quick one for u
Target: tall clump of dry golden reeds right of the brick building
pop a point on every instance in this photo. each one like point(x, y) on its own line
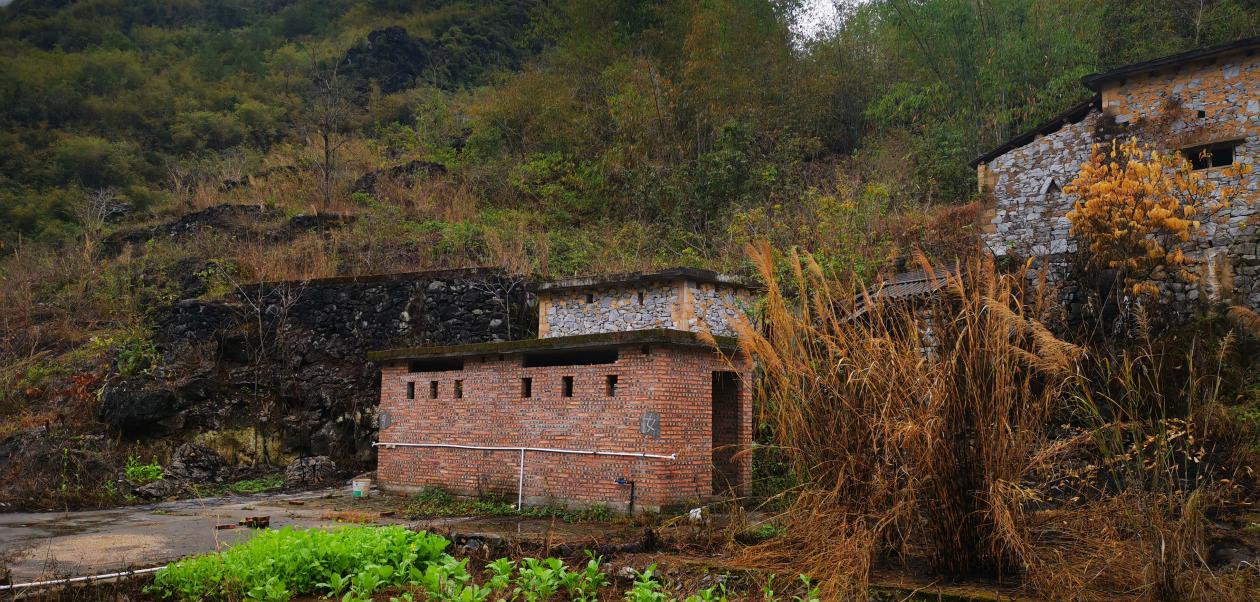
point(918, 420)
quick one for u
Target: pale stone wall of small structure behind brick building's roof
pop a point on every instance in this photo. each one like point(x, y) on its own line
point(677, 304)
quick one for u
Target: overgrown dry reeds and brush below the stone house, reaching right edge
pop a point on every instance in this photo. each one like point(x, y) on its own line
point(962, 431)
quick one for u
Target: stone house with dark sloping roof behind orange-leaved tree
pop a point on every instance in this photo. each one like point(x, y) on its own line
point(1200, 100)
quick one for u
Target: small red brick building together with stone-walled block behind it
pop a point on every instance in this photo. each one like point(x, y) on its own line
point(626, 400)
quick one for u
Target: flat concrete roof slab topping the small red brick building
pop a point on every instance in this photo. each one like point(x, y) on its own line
point(599, 341)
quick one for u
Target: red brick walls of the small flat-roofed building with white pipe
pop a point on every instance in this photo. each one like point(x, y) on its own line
point(675, 382)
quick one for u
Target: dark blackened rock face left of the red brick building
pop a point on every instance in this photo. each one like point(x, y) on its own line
point(289, 358)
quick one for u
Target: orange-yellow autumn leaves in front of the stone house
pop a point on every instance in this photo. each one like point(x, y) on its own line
point(1136, 210)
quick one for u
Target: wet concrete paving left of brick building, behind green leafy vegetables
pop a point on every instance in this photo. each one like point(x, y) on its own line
point(41, 546)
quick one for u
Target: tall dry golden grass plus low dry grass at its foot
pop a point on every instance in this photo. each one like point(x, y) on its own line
point(924, 431)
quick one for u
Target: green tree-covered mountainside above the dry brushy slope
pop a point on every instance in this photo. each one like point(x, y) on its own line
point(684, 119)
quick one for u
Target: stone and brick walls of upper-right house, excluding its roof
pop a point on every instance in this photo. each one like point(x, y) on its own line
point(1219, 103)
